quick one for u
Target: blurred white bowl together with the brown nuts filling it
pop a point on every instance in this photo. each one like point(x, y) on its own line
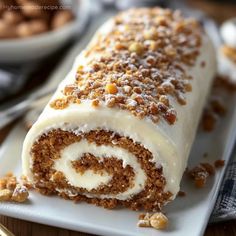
point(33, 29)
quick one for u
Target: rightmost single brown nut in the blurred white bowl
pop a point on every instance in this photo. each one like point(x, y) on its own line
point(61, 18)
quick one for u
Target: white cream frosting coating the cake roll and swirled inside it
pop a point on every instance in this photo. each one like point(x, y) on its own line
point(169, 144)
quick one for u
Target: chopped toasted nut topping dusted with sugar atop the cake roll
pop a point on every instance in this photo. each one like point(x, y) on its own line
point(140, 63)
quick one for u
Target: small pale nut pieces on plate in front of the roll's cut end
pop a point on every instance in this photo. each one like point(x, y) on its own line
point(157, 220)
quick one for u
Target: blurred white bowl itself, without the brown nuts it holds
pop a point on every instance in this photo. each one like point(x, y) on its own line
point(39, 46)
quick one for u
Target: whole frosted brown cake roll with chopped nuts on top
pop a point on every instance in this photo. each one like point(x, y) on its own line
point(119, 128)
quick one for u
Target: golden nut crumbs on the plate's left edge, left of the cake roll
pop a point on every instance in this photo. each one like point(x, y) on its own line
point(12, 190)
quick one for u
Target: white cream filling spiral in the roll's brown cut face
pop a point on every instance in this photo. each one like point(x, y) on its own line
point(91, 180)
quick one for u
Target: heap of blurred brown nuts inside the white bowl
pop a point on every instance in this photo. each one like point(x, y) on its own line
point(31, 17)
